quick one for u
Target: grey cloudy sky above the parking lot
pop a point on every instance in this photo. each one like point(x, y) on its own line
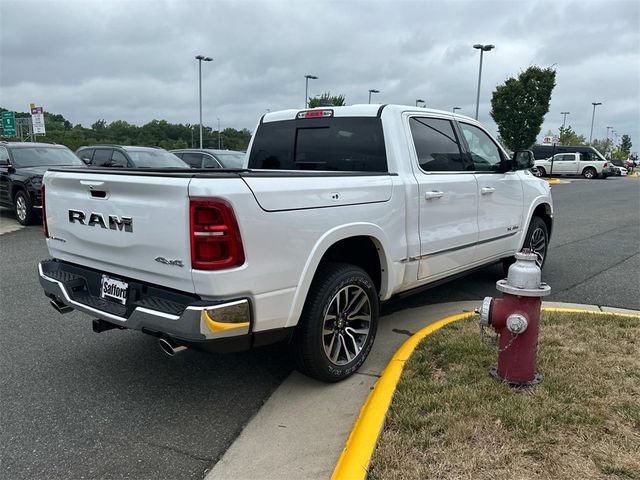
point(134, 60)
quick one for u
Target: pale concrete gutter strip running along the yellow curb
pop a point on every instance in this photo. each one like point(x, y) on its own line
point(301, 430)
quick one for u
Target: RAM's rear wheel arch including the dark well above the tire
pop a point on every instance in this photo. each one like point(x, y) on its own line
point(363, 245)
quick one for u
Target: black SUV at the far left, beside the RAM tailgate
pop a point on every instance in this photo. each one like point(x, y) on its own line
point(22, 166)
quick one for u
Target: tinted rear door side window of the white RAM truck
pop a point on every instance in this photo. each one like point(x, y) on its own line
point(436, 145)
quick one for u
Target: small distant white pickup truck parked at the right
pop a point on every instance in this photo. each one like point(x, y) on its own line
point(578, 163)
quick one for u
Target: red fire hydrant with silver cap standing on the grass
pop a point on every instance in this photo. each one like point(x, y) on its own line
point(516, 319)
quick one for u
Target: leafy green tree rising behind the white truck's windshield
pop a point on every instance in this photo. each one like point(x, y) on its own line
point(519, 105)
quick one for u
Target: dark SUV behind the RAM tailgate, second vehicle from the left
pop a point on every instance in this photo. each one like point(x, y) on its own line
point(128, 157)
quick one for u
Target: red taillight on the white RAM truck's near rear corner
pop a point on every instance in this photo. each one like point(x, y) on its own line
point(215, 237)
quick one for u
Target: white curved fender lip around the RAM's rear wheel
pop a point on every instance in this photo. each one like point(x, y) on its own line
point(330, 238)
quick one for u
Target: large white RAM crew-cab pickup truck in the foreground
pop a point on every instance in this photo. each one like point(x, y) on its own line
point(336, 210)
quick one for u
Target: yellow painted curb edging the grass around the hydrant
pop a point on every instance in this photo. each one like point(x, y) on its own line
point(356, 455)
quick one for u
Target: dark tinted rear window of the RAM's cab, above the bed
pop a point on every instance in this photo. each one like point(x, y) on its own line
point(334, 144)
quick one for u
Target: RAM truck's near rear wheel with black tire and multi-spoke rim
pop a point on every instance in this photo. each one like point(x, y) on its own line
point(325, 321)
